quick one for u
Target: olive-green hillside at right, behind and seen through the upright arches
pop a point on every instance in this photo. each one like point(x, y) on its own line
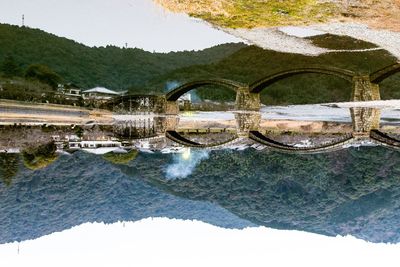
point(252, 63)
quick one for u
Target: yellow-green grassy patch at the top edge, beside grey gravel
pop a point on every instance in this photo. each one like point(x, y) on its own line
point(255, 13)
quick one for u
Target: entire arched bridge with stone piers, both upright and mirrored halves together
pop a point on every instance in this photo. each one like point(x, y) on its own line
point(365, 121)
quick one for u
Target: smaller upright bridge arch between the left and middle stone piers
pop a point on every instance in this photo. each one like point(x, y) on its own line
point(184, 88)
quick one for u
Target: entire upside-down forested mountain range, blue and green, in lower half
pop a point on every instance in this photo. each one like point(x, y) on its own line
point(353, 191)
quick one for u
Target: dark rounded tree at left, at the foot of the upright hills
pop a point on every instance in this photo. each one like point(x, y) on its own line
point(43, 74)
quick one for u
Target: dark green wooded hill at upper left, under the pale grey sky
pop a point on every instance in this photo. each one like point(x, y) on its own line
point(112, 67)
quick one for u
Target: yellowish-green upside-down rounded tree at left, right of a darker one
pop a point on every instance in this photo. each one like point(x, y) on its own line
point(39, 157)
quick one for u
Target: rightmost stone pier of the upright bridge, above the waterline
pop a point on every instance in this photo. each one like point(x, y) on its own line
point(364, 89)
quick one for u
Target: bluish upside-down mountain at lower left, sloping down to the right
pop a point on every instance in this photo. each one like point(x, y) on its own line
point(84, 188)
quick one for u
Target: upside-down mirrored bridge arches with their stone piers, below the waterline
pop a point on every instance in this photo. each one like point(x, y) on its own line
point(365, 129)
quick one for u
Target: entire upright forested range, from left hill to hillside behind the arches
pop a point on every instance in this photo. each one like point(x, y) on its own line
point(145, 72)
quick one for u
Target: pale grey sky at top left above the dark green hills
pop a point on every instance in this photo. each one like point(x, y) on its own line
point(139, 23)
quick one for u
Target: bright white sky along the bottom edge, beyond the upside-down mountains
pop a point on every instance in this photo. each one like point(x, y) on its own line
point(169, 242)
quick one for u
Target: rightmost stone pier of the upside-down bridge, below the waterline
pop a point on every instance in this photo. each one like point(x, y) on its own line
point(364, 120)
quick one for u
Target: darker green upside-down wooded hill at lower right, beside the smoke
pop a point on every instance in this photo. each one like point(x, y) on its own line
point(352, 191)
